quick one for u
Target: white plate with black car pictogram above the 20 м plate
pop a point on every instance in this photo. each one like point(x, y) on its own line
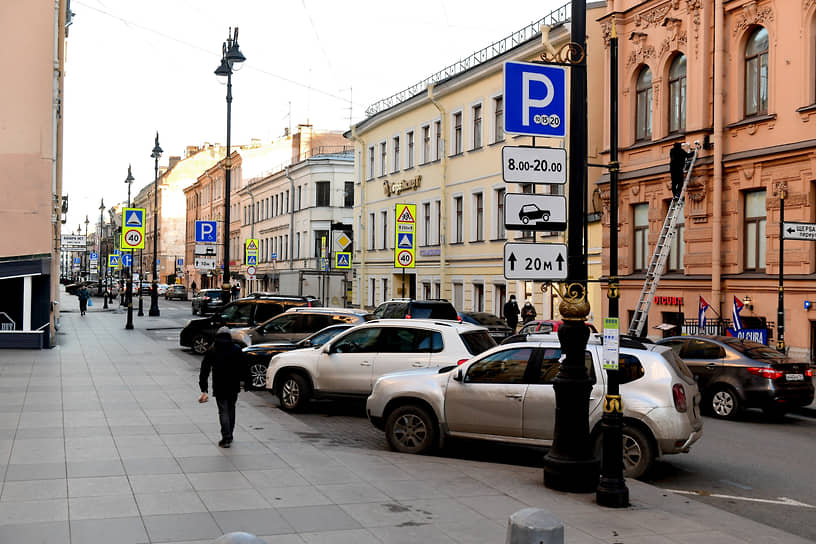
point(525, 211)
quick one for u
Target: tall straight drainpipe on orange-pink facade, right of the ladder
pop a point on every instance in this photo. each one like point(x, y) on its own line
point(716, 233)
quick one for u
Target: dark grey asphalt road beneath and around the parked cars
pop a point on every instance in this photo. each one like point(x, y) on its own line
point(754, 467)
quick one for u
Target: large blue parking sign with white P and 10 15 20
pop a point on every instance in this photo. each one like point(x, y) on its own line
point(535, 97)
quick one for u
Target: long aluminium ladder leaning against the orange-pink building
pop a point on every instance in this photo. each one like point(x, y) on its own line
point(661, 253)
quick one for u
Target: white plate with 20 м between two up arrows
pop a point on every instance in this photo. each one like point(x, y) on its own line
point(535, 262)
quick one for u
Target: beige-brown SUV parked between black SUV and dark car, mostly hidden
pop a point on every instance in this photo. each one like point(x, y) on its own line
point(297, 323)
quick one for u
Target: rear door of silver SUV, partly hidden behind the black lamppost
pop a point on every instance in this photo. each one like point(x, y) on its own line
point(539, 403)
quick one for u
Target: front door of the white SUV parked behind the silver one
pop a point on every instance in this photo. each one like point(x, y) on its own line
point(349, 363)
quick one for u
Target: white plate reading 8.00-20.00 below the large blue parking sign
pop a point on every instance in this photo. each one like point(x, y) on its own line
point(534, 165)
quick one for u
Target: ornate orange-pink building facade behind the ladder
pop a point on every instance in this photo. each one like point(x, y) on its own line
point(738, 76)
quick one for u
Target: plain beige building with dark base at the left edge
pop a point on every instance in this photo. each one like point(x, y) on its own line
point(31, 202)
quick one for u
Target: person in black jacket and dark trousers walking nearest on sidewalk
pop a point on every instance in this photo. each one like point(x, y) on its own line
point(224, 359)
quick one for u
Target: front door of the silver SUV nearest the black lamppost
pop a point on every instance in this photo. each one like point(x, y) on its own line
point(489, 399)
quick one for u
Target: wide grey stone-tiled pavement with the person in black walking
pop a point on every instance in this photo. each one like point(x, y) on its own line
point(102, 440)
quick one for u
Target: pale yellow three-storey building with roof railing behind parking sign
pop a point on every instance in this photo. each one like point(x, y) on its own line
point(438, 146)
